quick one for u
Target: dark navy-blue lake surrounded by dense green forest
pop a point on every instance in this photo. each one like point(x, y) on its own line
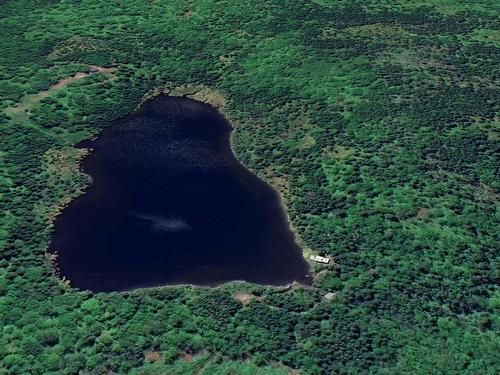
point(169, 204)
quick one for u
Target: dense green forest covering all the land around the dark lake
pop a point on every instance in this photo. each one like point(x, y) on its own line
point(377, 122)
